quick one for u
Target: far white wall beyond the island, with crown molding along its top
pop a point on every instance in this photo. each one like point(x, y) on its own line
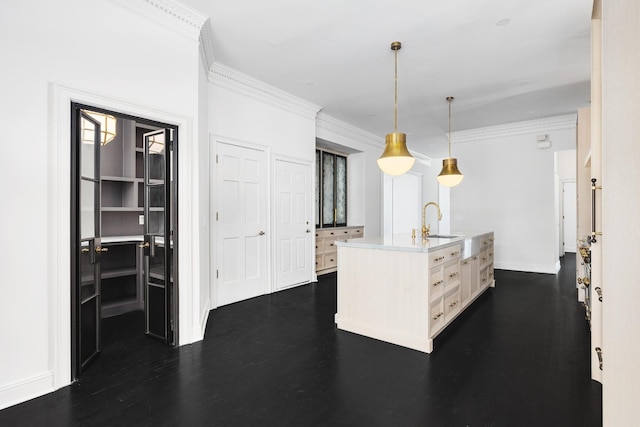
point(509, 189)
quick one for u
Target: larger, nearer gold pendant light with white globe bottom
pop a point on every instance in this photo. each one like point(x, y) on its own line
point(396, 159)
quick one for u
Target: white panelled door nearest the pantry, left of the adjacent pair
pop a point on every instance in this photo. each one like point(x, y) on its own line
point(241, 223)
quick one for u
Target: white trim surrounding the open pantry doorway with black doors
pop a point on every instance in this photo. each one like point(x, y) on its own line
point(59, 218)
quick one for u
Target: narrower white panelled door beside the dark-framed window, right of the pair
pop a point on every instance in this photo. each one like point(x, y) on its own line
point(293, 226)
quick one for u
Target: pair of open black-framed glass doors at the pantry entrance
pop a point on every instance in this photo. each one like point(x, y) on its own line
point(87, 249)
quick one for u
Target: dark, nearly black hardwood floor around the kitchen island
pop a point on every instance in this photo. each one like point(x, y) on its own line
point(518, 357)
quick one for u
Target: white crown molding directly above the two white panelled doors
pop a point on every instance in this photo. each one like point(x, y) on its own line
point(238, 82)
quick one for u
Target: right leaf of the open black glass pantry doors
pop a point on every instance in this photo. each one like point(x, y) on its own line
point(158, 244)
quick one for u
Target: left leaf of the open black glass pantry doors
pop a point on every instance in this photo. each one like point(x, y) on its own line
point(86, 295)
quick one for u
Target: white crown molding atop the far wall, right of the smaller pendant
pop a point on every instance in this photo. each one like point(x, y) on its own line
point(567, 121)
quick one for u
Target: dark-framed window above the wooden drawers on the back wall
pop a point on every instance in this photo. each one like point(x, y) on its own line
point(331, 189)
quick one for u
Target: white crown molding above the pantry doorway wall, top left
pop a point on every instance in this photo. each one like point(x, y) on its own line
point(171, 13)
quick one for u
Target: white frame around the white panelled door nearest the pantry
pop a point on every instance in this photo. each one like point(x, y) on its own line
point(215, 205)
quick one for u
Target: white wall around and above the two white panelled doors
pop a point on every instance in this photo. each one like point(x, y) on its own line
point(247, 112)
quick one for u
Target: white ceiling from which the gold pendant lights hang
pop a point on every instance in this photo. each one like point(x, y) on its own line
point(336, 53)
